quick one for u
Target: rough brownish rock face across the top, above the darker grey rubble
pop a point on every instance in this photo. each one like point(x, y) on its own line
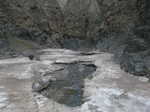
point(78, 18)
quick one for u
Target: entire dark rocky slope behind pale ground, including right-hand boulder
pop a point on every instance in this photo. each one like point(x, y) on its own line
point(118, 26)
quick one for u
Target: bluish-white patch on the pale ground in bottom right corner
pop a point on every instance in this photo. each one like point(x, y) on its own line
point(115, 100)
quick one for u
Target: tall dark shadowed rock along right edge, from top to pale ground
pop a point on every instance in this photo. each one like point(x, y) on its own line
point(137, 53)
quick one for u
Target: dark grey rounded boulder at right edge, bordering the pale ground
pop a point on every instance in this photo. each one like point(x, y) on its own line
point(136, 63)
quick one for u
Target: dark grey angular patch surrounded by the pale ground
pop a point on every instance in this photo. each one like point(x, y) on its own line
point(67, 84)
